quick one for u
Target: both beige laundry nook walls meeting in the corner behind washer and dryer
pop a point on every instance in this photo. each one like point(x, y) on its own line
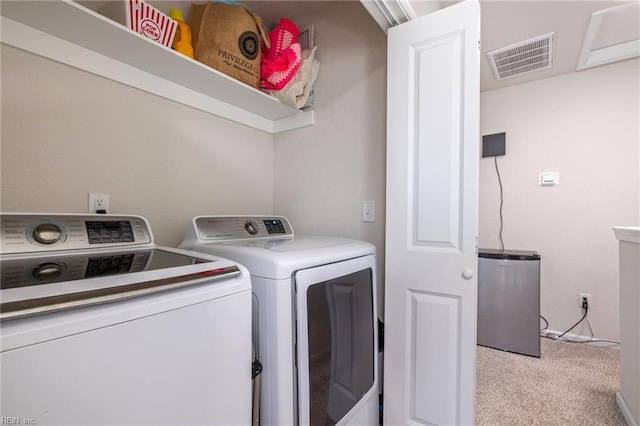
point(66, 132)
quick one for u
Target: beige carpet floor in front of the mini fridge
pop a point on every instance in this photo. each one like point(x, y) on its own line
point(570, 384)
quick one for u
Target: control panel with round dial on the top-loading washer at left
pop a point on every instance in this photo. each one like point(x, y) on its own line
point(25, 232)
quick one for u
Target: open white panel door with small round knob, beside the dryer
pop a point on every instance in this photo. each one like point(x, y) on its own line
point(432, 216)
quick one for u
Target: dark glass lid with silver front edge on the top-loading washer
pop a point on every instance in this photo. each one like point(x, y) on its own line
point(42, 283)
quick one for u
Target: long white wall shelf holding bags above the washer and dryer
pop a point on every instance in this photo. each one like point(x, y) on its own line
point(69, 33)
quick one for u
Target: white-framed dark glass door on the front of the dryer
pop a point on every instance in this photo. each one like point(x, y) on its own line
point(336, 340)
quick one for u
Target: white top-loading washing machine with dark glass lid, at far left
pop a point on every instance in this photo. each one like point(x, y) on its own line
point(101, 326)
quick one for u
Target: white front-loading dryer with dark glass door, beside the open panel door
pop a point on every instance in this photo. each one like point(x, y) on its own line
point(314, 313)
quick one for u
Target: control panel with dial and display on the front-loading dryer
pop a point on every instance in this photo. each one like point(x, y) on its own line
point(215, 228)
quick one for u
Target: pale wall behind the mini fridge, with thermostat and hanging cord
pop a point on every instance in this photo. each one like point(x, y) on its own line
point(585, 126)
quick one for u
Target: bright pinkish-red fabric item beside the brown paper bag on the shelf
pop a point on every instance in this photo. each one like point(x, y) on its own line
point(280, 62)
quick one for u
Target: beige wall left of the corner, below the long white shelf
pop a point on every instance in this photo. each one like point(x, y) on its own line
point(67, 132)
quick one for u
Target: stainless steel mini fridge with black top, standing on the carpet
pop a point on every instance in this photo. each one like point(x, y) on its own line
point(509, 300)
